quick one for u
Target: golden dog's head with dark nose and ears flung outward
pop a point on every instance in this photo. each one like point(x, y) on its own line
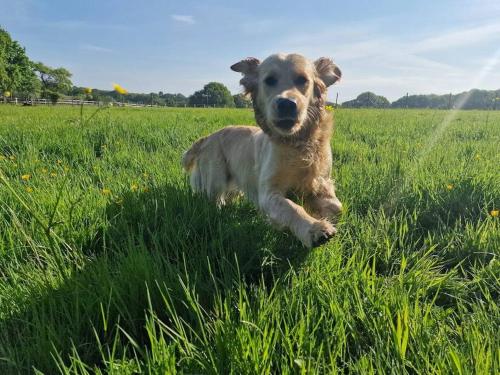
point(287, 90)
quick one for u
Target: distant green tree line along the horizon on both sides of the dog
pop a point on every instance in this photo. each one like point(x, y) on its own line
point(21, 77)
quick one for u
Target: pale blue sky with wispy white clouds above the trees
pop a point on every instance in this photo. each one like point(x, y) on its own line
point(388, 47)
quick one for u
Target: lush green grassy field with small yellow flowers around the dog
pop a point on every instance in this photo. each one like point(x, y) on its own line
point(108, 264)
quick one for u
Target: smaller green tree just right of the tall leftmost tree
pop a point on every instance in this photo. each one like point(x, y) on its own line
point(53, 81)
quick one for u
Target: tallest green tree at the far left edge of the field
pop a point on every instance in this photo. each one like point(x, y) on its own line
point(16, 70)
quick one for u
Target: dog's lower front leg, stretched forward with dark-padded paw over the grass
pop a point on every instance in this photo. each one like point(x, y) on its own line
point(282, 211)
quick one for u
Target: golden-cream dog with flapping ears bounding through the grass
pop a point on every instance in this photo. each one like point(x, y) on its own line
point(287, 156)
